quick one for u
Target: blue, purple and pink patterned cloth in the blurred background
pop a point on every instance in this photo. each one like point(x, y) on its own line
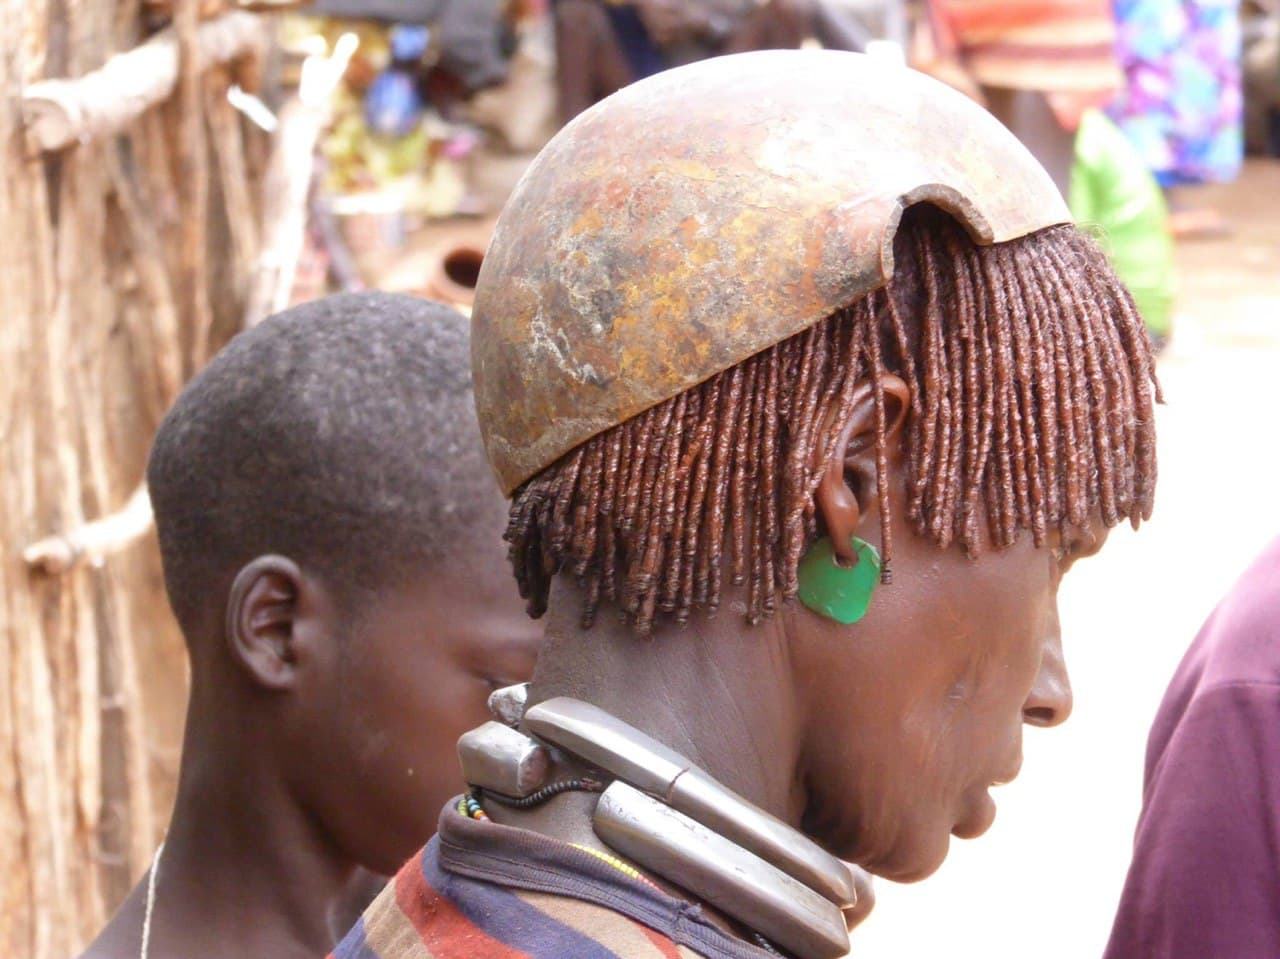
point(1182, 106)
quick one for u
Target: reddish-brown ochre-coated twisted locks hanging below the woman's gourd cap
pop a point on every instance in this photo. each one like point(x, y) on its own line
point(1032, 390)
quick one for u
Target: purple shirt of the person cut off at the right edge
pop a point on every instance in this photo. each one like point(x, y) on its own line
point(1205, 882)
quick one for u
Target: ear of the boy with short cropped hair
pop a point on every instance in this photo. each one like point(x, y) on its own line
point(262, 619)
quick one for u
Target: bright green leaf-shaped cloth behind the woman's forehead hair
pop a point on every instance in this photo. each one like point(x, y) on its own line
point(1116, 197)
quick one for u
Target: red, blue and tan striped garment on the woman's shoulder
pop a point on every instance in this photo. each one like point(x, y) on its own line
point(487, 892)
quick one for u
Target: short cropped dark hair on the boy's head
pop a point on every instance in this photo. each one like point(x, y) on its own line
point(340, 433)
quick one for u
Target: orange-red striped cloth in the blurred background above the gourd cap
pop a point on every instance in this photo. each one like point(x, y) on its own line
point(1046, 45)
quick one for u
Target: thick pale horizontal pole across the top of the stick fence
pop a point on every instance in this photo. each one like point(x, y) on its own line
point(63, 112)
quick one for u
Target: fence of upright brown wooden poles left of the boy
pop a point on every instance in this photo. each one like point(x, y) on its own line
point(125, 258)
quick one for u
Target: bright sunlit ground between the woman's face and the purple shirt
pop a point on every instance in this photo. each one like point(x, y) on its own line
point(1046, 879)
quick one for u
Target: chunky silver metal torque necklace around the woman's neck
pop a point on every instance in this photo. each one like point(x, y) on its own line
point(669, 816)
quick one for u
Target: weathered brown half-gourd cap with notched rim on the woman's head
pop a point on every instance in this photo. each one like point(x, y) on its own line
point(705, 214)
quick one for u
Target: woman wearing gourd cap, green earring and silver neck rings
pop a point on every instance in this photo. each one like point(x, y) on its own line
point(747, 340)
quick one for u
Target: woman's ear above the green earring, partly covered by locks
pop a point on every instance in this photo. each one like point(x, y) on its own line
point(848, 486)
